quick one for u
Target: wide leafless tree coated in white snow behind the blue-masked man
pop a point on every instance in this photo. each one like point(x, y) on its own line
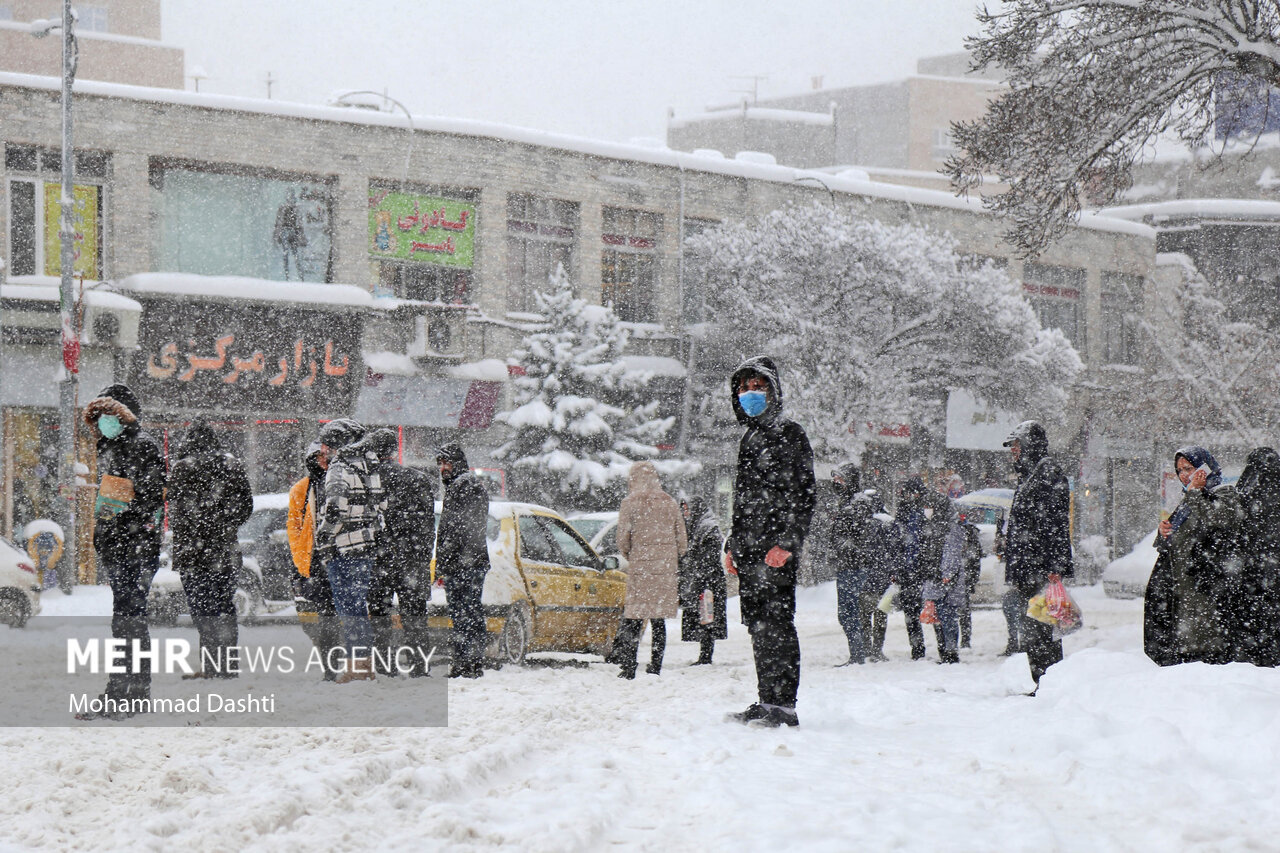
point(876, 323)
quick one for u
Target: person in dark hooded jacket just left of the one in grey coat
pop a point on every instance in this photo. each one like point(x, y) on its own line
point(924, 519)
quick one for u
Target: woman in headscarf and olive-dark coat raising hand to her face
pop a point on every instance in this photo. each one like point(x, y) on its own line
point(1183, 614)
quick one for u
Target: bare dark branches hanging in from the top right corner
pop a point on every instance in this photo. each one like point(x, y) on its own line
point(1092, 84)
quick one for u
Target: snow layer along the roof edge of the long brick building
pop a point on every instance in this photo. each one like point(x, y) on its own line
point(511, 134)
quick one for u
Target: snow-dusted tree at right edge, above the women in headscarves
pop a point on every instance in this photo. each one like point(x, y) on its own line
point(1210, 372)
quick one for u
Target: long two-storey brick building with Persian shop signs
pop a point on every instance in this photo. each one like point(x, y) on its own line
point(266, 264)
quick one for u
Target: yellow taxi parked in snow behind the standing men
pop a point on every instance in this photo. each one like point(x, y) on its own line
point(547, 590)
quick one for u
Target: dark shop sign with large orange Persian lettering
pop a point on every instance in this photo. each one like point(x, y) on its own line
point(213, 355)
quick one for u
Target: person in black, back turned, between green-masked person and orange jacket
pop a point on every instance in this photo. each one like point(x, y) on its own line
point(209, 500)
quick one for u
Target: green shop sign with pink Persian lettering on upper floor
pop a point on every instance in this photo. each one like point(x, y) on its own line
point(422, 229)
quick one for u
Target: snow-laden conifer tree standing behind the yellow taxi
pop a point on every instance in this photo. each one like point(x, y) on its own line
point(580, 418)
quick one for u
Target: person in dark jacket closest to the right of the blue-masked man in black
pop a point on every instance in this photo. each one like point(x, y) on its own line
point(854, 545)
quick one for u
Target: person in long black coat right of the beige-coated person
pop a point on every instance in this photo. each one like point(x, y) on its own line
point(703, 590)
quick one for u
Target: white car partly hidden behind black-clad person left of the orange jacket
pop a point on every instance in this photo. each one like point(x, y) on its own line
point(264, 572)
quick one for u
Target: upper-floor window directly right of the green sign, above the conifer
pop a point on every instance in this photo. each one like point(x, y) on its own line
point(541, 236)
